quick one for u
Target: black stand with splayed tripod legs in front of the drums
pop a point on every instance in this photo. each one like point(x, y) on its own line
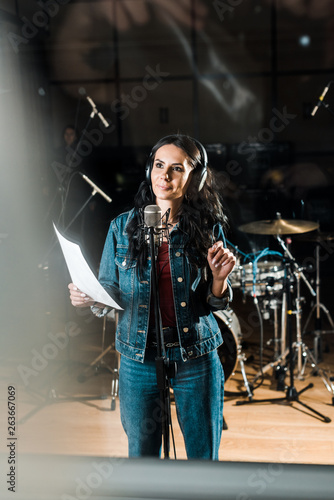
point(292, 395)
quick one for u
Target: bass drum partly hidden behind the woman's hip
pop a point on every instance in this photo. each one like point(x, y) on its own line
point(230, 328)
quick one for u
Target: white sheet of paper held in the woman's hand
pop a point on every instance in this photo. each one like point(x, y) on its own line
point(81, 274)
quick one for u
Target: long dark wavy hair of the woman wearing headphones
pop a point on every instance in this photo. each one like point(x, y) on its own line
point(199, 212)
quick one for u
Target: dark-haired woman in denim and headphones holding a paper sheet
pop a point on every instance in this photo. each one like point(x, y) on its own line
point(193, 266)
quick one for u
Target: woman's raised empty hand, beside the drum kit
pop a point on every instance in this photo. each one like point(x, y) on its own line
point(221, 261)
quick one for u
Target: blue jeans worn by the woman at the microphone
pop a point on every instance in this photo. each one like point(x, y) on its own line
point(199, 394)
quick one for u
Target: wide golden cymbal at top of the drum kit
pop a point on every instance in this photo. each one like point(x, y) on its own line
point(279, 226)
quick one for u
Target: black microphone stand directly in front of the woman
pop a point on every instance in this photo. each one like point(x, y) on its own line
point(164, 369)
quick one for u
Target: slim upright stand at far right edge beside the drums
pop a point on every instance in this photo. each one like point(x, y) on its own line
point(318, 307)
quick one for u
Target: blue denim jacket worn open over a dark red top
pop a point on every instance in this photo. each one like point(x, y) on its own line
point(198, 330)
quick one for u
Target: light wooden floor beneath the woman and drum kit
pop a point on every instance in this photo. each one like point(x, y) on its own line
point(58, 414)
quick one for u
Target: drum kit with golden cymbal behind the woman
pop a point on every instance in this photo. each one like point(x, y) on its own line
point(273, 280)
